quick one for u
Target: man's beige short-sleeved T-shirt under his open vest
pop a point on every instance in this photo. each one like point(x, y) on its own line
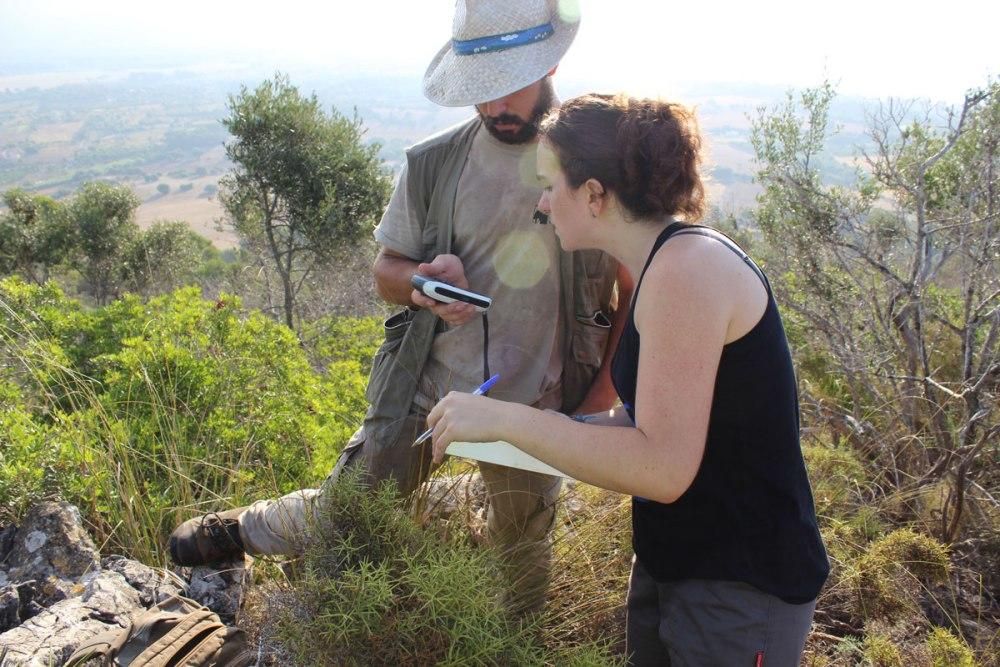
point(507, 256)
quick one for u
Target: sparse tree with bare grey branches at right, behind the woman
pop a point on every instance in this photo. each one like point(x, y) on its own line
point(895, 283)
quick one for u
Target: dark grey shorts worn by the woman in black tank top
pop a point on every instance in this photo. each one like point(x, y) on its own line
point(702, 623)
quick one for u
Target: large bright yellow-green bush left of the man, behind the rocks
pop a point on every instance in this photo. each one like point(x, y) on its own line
point(151, 411)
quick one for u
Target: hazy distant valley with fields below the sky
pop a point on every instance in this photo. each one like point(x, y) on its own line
point(160, 132)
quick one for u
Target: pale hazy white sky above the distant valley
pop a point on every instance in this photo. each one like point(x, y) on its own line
point(876, 48)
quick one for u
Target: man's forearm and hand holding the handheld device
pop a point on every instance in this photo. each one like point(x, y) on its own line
point(392, 272)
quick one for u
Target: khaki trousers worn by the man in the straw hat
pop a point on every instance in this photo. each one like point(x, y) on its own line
point(520, 515)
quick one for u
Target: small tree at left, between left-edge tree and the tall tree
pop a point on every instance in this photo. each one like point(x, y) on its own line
point(103, 218)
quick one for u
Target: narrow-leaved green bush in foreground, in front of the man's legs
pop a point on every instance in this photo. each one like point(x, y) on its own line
point(377, 590)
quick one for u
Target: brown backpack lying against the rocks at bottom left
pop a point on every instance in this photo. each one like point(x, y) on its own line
point(177, 631)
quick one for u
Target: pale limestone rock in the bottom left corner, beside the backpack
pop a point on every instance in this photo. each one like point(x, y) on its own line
point(107, 602)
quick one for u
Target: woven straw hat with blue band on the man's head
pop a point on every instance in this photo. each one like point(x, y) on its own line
point(499, 47)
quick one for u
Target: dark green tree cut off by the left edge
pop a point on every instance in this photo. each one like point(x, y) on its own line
point(34, 235)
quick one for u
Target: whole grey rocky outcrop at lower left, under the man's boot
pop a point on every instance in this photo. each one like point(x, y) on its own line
point(56, 592)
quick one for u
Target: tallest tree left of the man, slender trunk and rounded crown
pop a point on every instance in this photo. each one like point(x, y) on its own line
point(303, 187)
